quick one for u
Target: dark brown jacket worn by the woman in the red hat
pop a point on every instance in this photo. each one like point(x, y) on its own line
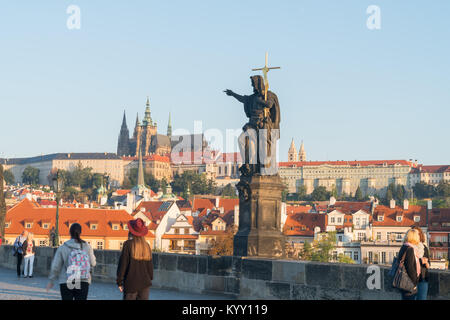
point(132, 274)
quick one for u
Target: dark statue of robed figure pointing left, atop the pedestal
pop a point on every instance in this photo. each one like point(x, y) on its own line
point(258, 140)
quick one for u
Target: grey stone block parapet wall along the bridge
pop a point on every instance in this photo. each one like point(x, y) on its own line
point(252, 278)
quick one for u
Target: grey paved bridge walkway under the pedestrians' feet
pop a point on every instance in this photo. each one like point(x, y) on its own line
point(13, 288)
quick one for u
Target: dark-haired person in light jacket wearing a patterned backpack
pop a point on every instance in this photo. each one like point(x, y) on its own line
point(72, 266)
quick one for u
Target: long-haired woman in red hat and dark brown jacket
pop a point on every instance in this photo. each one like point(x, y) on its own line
point(135, 269)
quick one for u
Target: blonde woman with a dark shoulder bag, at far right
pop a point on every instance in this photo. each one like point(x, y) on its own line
point(412, 261)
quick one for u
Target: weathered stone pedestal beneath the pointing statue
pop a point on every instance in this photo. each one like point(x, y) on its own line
point(259, 231)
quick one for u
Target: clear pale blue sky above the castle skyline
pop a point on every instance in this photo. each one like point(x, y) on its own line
point(349, 92)
